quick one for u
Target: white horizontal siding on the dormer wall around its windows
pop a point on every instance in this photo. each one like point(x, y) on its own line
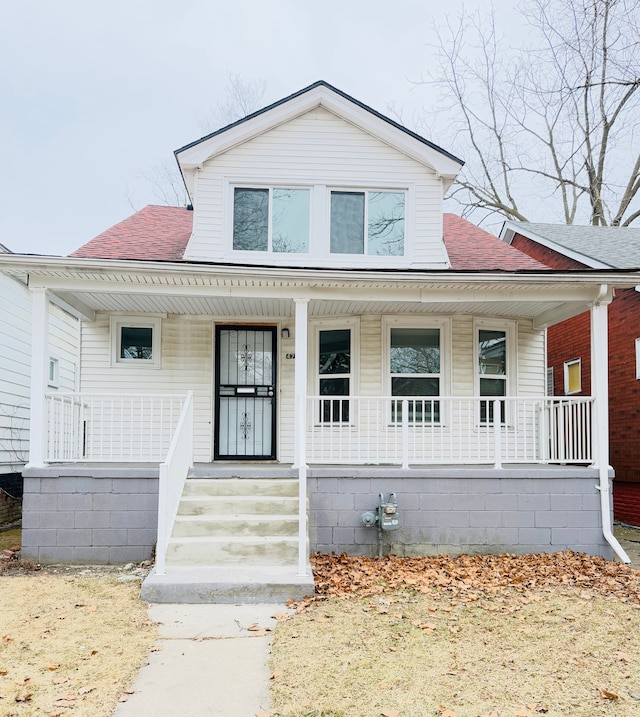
point(318, 148)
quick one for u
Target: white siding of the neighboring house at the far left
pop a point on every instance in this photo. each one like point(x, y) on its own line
point(15, 366)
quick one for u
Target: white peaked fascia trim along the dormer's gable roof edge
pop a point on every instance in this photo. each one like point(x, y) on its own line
point(193, 157)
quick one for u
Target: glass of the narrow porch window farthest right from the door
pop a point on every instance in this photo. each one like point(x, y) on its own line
point(492, 370)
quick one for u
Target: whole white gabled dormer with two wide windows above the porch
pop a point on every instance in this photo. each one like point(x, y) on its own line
point(317, 180)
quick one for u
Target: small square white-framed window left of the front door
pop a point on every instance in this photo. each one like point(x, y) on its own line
point(135, 341)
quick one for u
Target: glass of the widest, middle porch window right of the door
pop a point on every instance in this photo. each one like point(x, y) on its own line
point(414, 362)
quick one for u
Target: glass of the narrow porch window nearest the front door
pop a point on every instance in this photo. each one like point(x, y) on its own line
point(334, 374)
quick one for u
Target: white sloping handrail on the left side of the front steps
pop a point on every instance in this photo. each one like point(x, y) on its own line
point(172, 477)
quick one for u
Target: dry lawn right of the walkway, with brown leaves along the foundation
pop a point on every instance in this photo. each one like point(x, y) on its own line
point(486, 636)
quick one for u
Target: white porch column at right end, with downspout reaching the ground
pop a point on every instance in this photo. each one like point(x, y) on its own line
point(600, 393)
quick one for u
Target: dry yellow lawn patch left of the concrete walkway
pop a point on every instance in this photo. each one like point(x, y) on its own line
point(70, 643)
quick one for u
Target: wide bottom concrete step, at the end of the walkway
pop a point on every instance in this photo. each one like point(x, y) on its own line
point(251, 585)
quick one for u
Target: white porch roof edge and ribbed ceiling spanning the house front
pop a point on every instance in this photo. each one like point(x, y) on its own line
point(84, 286)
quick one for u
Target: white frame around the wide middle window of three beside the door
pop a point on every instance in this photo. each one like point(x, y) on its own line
point(422, 322)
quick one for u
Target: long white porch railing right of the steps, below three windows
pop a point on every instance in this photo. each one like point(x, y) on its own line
point(446, 430)
